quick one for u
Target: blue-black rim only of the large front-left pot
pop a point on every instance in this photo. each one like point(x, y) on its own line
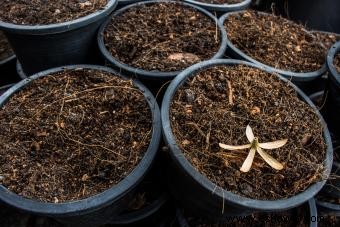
point(102, 199)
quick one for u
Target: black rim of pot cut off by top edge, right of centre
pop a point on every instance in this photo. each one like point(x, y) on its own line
point(222, 7)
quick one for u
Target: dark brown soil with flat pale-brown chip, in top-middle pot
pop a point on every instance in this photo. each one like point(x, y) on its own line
point(162, 37)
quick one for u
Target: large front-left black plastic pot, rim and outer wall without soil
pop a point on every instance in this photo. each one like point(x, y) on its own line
point(100, 208)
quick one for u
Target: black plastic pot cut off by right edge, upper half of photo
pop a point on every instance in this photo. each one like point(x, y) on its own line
point(332, 105)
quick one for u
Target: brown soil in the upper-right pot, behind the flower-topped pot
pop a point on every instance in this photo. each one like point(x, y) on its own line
point(275, 41)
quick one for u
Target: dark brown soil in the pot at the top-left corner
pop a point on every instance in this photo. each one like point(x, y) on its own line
point(44, 12)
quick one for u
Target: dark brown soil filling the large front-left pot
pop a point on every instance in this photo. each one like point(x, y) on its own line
point(71, 135)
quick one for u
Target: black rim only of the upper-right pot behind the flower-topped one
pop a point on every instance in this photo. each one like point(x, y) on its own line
point(294, 76)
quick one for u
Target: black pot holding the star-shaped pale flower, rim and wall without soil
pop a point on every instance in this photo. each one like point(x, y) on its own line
point(196, 192)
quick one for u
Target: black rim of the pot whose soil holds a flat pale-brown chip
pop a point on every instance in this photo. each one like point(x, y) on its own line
point(153, 75)
